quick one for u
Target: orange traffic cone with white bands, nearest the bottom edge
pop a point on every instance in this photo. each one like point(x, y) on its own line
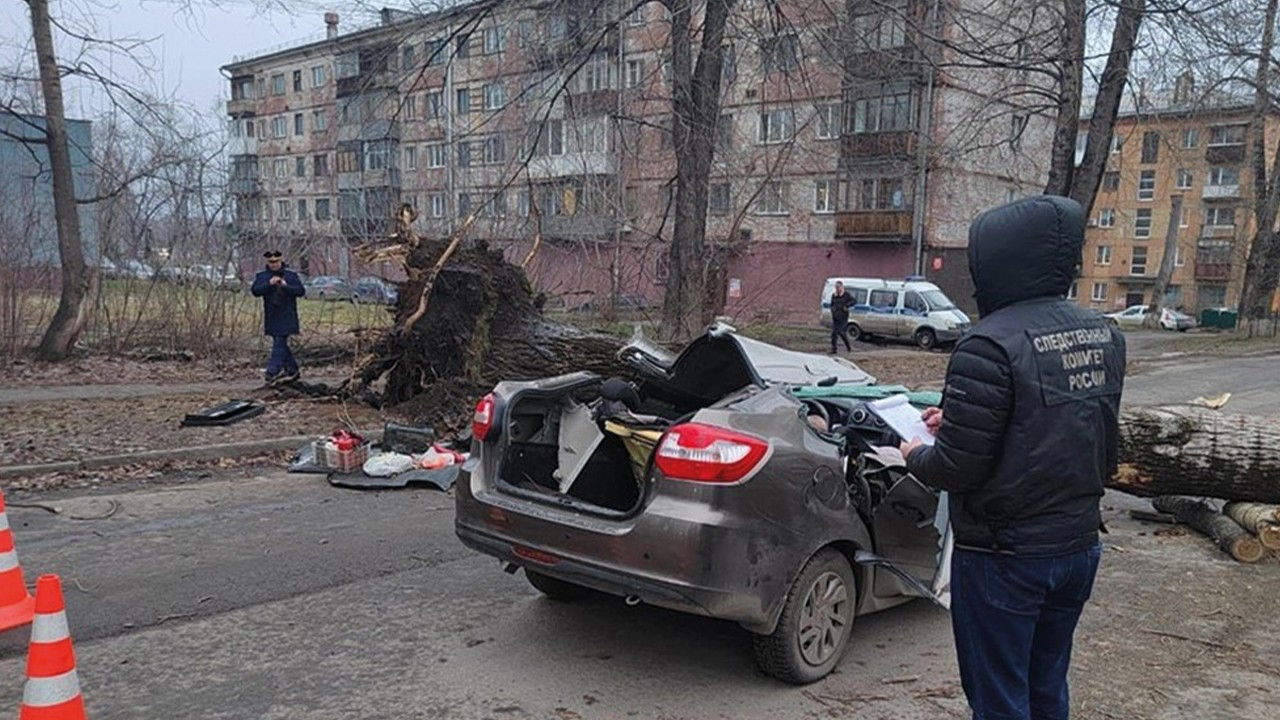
point(53, 689)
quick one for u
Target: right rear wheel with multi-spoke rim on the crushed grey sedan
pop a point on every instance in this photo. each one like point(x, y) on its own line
point(813, 630)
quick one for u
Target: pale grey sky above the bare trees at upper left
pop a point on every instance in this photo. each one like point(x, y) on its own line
point(188, 44)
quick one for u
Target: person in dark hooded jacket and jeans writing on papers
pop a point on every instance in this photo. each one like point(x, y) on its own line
point(1025, 441)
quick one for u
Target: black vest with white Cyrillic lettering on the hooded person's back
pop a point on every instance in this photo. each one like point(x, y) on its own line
point(1063, 438)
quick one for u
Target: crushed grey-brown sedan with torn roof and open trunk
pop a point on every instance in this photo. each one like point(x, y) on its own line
point(738, 481)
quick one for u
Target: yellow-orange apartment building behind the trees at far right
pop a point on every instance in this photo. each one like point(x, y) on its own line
point(1180, 145)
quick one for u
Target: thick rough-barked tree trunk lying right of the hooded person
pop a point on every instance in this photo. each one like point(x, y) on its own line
point(1200, 453)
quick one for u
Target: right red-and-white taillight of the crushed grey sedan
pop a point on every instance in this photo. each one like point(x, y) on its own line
point(707, 454)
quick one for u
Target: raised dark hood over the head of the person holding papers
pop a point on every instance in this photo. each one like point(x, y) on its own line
point(1026, 250)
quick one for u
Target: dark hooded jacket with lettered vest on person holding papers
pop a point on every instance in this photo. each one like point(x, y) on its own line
point(1031, 408)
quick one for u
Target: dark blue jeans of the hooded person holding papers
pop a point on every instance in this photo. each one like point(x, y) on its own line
point(1014, 619)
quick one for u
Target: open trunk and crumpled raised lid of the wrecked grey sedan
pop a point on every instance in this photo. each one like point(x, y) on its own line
point(588, 443)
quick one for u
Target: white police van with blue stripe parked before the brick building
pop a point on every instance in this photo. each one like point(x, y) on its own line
point(911, 309)
